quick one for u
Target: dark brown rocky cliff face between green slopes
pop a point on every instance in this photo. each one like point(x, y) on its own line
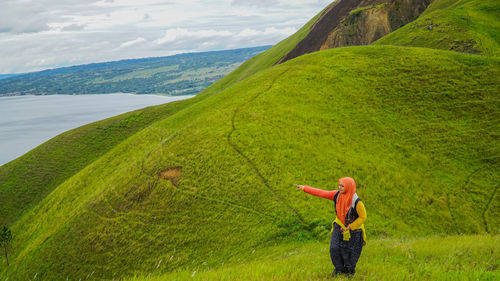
point(357, 22)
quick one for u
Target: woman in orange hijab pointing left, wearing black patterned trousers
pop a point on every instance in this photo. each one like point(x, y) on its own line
point(348, 232)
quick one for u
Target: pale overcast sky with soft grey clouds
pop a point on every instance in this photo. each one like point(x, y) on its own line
point(41, 34)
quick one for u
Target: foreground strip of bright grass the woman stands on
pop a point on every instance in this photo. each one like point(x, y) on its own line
point(436, 258)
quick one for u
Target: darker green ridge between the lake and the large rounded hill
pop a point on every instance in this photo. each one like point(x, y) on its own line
point(24, 182)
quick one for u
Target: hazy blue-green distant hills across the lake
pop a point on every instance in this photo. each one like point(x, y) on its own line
point(183, 74)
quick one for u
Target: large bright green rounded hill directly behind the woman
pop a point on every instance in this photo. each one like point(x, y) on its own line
point(415, 127)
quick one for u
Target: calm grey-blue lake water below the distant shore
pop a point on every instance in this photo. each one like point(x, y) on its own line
point(28, 121)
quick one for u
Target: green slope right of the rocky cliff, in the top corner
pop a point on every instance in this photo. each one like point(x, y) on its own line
point(470, 26)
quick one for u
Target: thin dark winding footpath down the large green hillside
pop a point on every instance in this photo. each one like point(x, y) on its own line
point(249, 161)
